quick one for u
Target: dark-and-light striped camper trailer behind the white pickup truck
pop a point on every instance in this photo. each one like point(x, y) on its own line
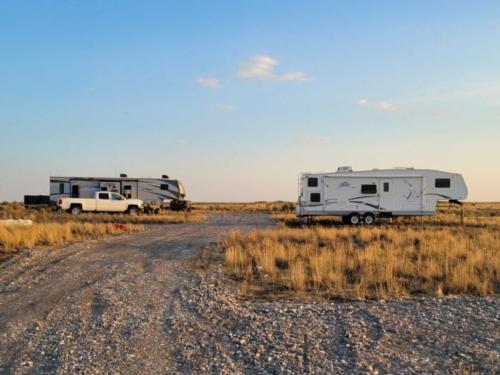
point(152, 191)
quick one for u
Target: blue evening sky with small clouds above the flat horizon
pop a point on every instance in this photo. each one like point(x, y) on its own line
point(235, 99)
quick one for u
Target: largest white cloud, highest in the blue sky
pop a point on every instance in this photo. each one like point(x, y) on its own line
point(262, 67)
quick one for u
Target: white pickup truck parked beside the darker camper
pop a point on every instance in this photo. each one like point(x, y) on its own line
point(103, 202)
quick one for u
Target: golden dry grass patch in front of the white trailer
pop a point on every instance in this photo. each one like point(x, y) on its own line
point(410, 256)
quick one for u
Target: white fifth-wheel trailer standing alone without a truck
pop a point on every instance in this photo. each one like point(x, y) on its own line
point(362, 196)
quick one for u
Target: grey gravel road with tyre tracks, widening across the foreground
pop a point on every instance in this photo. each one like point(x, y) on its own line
point(134, 304)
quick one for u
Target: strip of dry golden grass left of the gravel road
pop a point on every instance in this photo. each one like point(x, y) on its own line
point(16, 237)
